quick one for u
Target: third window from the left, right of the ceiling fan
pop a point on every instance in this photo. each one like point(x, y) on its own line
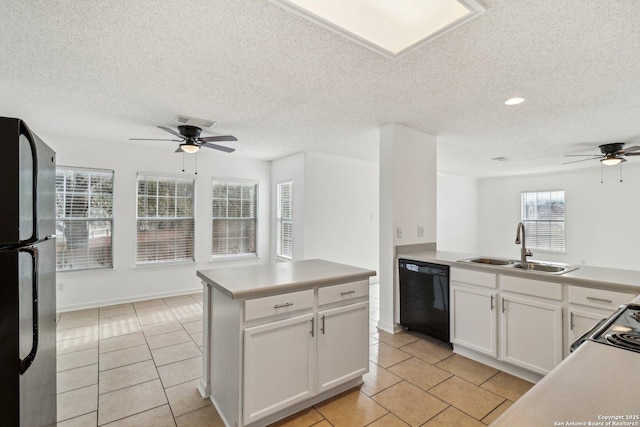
point(234, 217)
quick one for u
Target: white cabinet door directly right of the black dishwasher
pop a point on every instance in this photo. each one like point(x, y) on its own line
point(473, 319)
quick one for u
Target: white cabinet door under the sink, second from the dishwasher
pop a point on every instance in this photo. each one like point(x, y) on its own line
point(531, 334)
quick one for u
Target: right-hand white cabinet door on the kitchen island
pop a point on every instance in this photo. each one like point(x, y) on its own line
point(343, 344)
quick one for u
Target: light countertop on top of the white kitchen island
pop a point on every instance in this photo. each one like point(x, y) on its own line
point(268, 279)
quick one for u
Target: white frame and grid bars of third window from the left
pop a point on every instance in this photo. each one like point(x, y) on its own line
point(241, 255)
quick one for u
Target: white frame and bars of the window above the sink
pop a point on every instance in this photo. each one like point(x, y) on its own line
point(550, 236)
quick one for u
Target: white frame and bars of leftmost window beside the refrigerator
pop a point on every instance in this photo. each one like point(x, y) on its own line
point(92, 172)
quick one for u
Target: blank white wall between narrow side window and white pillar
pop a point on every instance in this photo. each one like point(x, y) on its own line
point(341, 210)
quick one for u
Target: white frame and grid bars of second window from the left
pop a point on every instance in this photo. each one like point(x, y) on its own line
point(175, 179)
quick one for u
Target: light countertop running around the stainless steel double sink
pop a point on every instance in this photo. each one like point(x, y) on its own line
point(597, 277)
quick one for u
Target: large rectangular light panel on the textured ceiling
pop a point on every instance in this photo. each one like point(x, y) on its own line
point(390, 27)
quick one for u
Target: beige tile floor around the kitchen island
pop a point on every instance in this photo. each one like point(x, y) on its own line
point(138, 364)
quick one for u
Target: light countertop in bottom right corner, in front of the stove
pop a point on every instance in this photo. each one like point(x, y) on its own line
point(594, 382)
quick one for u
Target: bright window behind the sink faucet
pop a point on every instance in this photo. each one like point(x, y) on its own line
point(543, 218)
